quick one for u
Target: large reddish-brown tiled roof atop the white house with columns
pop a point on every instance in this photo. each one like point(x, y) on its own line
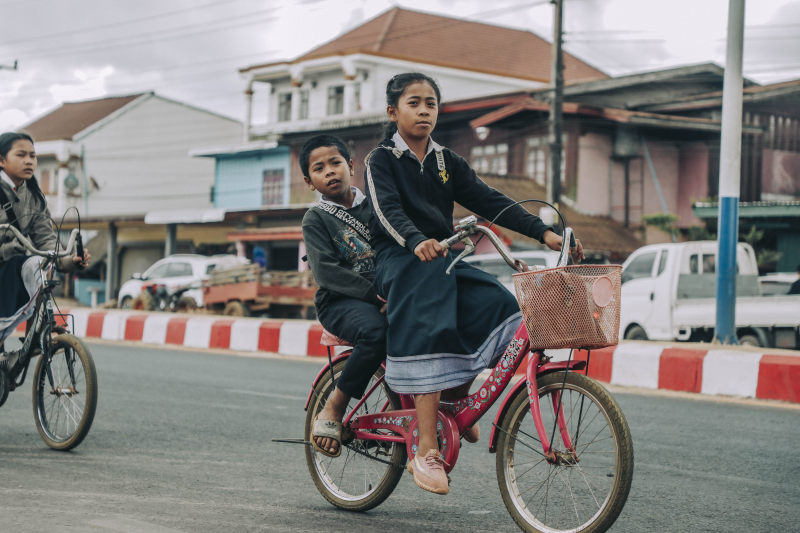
point(451, 42)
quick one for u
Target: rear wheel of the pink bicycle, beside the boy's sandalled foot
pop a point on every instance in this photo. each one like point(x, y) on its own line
point(354, 481)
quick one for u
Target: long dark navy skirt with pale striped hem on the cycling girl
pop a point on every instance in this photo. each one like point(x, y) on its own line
point(443, 329)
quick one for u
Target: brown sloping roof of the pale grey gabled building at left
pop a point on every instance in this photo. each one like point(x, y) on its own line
point(74, 117)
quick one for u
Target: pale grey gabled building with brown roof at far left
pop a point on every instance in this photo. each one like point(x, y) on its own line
point(121, 162)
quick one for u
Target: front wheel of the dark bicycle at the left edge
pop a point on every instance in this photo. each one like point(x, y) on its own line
point(65, 411)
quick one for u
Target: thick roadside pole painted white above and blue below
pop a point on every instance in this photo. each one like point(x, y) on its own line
point(729, 176)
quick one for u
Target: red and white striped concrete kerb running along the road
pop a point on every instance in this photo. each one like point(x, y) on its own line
point(695, 368)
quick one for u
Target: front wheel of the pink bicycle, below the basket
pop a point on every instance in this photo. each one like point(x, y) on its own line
point(588, 494)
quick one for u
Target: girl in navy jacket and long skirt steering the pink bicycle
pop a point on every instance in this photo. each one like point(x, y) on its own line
point(443, 329)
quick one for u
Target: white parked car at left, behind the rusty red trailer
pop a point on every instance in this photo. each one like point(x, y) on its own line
point(176, 272)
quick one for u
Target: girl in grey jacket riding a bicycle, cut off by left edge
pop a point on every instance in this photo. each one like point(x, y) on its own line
point(17, 166)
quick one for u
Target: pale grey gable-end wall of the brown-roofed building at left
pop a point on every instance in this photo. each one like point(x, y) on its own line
point(140, 159)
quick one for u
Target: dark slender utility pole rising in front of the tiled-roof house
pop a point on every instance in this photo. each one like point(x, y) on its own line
point(556, 104)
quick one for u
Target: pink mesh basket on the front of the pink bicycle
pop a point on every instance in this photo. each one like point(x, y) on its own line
point(570, 307)
